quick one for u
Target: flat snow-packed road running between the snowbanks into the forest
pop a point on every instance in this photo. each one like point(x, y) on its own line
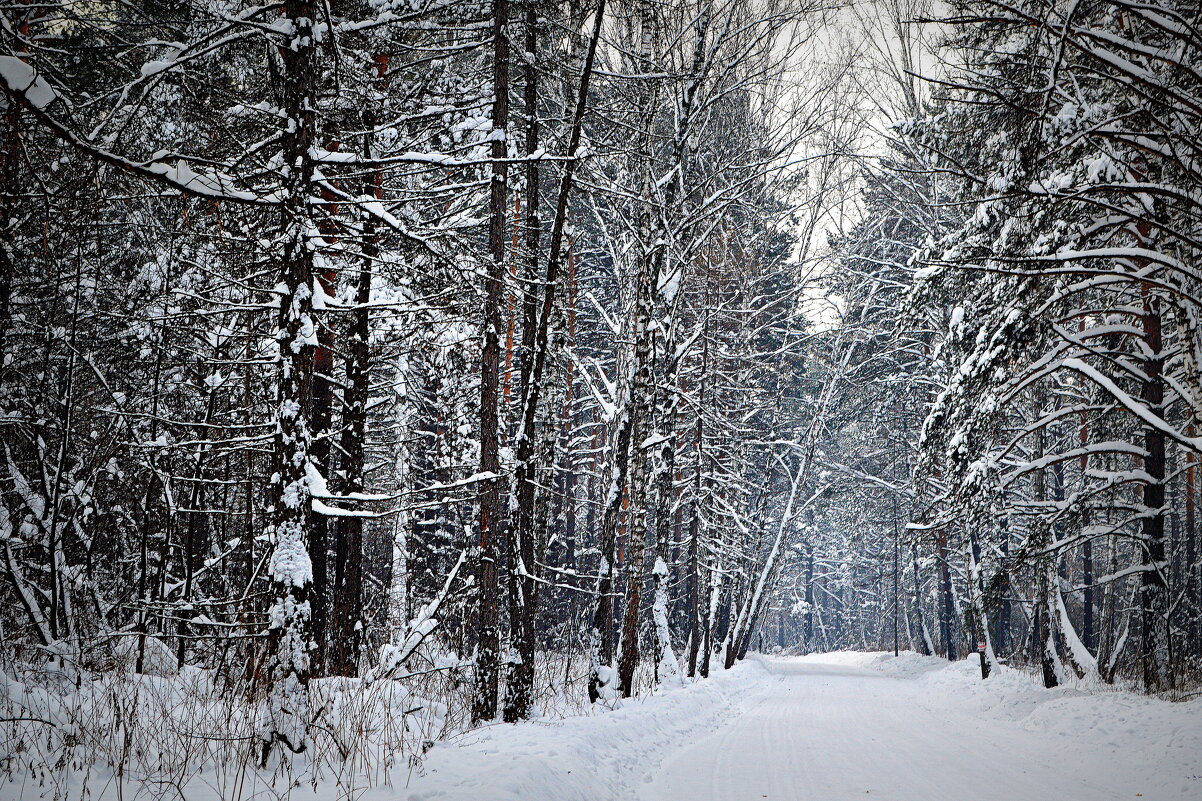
point(816, 731)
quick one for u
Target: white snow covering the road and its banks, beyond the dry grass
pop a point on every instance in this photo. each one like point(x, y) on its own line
point(835, 728)
